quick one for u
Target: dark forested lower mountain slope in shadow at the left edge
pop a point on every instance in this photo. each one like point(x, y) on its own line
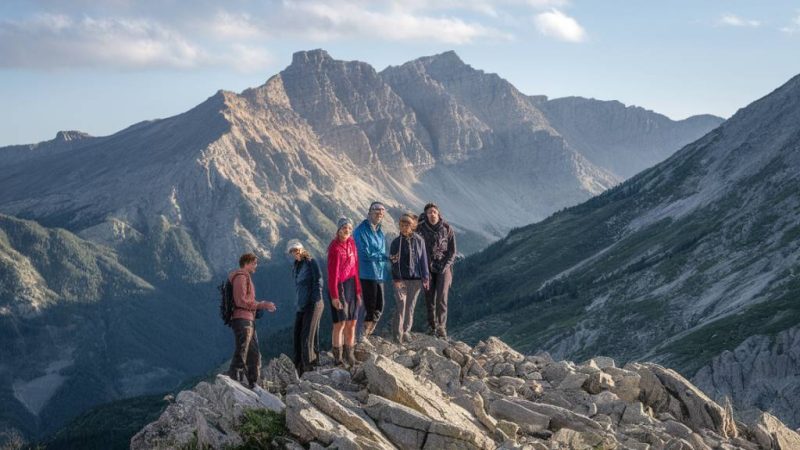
point(101, 332)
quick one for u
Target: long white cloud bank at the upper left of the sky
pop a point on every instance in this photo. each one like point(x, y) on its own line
point(51, 41)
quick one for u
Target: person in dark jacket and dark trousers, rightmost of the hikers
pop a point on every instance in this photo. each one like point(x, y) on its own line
point(440, 244)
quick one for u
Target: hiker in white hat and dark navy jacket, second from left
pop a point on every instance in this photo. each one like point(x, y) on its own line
point(308, 285)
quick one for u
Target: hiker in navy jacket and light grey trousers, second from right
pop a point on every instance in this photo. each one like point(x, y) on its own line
point(409, 275)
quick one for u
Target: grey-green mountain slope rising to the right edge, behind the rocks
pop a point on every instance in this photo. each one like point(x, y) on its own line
point(678, 264)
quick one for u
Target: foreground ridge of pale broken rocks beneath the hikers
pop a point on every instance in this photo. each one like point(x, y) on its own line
point(433, 394)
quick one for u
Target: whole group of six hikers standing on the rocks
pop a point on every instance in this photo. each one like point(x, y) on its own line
point(419, 259)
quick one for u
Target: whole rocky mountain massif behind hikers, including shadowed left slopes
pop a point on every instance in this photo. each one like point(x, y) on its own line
point(158, 212)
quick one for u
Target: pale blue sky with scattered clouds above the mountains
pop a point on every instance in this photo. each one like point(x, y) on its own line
point(100, 66)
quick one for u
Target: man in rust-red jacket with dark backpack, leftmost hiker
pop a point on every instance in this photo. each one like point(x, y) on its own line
point(246, 355)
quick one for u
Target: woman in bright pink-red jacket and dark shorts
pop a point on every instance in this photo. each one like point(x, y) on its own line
point(345, 291)
